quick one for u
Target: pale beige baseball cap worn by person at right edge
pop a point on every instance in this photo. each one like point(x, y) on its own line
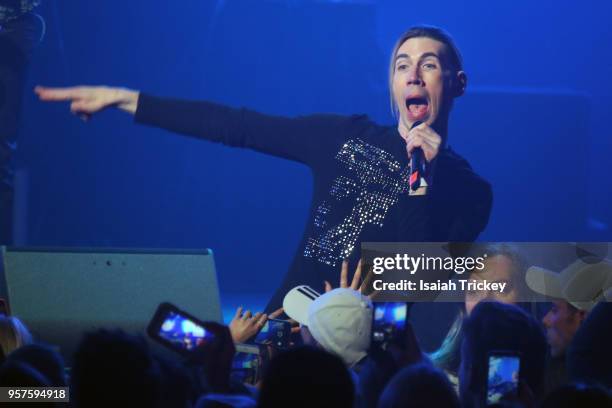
point(581, 284)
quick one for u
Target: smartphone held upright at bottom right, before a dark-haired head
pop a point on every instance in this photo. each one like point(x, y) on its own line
point(503, 376)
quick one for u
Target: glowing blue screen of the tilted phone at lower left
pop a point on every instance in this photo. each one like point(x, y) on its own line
point(182, 332)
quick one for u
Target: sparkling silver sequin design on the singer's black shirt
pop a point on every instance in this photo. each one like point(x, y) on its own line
point(372, 180)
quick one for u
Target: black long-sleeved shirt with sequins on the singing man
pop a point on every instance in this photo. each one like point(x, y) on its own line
point(360, 173)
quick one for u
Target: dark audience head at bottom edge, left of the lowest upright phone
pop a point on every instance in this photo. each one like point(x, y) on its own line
point(419, 386)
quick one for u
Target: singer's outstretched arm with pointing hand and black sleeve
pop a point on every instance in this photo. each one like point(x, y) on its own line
point(304, 139)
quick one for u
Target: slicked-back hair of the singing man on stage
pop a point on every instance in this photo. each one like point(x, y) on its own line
point(455, 59)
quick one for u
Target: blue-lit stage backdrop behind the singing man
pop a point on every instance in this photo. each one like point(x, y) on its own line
point(534, 120)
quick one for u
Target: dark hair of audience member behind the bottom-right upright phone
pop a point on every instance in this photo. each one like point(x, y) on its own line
point(495, 326)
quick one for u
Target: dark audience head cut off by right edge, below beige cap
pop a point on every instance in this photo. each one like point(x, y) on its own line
point(590, 353)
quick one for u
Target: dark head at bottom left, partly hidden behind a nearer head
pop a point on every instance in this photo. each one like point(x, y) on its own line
point(44, 359)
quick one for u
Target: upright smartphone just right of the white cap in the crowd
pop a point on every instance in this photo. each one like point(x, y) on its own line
point(388, 322)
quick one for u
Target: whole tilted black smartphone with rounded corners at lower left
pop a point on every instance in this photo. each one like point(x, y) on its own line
point(178, 329)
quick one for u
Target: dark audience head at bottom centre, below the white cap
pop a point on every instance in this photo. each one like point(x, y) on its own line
point(307, 377)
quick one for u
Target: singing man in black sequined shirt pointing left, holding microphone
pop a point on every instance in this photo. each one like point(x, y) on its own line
point(361, 170)
